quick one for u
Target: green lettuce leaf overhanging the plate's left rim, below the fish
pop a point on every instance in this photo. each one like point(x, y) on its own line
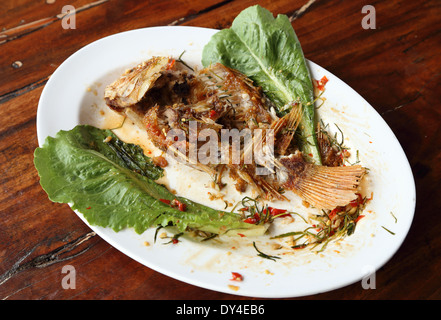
point(112, 184)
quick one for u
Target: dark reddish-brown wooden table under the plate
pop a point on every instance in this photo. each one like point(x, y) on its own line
point(395, 67)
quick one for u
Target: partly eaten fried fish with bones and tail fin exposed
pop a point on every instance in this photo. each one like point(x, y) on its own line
point(162, 94)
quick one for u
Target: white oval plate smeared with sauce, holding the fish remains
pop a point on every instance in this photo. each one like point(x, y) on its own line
point(74, 93)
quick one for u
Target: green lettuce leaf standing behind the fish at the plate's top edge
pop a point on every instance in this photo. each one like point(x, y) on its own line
point(267, 50)
